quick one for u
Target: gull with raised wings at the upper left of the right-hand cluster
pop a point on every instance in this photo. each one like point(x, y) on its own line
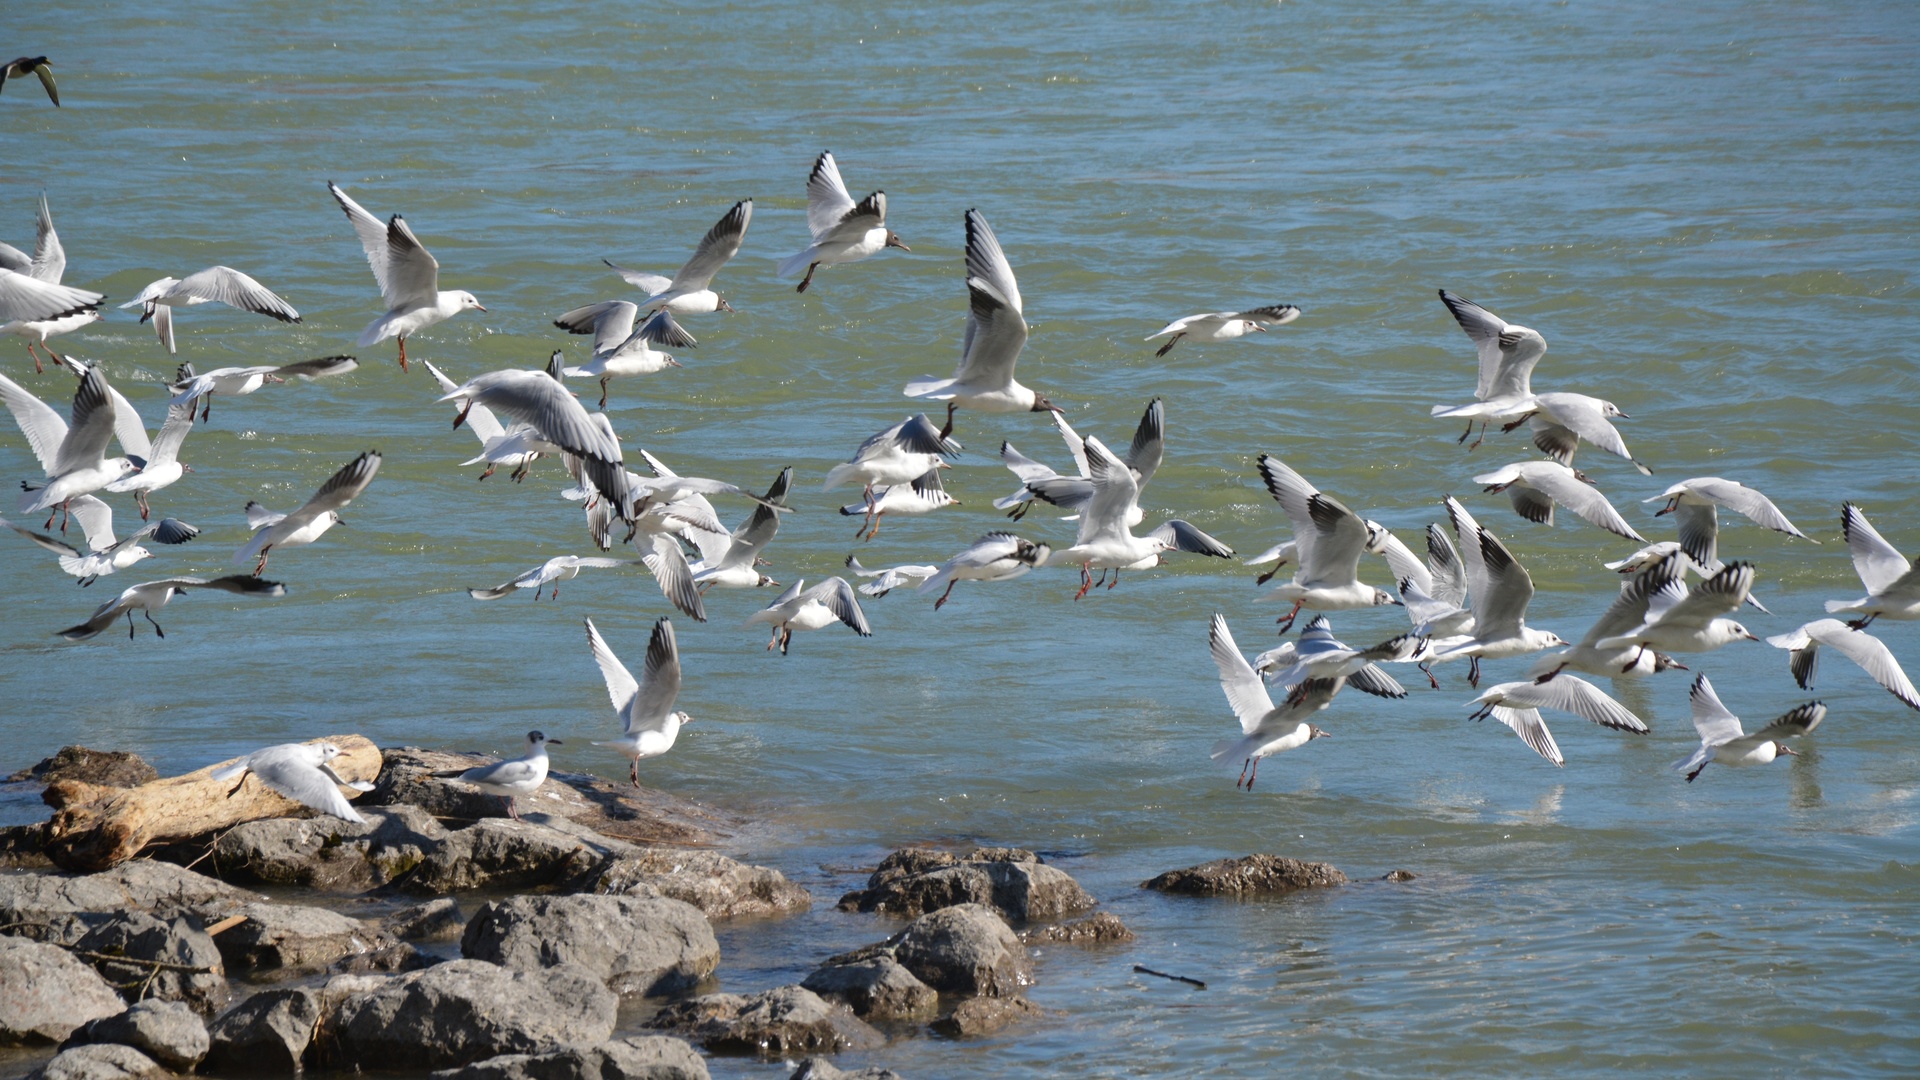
point(1328, 541)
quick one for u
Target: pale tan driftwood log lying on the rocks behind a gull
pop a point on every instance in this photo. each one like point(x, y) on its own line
point(99, 827)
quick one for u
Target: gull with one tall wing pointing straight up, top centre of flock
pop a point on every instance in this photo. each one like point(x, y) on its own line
point(996, 333)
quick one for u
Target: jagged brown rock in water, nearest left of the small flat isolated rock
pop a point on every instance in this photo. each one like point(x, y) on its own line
point(917, 881)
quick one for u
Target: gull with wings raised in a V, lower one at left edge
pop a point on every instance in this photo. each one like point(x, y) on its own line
point(74, 454)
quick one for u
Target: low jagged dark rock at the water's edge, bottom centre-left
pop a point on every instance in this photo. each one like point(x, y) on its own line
point(775, 1023)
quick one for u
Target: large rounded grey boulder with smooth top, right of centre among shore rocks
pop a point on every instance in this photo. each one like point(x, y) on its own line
point(633, 945)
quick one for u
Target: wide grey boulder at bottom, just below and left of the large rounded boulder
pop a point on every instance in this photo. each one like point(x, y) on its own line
point(466, 1012)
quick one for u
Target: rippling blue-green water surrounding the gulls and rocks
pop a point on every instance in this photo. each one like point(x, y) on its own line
point(1710, 212)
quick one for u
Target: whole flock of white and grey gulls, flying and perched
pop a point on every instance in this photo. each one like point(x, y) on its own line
point(1468, 597)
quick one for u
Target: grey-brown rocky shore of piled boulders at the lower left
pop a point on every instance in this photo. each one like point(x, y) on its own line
point(577, 945)
